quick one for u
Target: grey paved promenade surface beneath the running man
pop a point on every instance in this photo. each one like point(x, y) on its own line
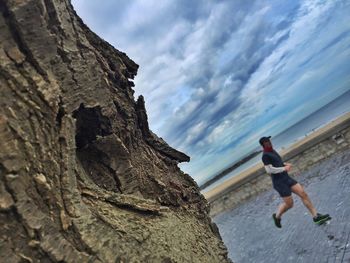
point(251, 236)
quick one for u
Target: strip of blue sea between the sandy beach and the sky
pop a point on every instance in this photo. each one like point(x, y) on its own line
point(298, 131)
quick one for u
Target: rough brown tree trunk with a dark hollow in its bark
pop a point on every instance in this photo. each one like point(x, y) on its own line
point(82, 178)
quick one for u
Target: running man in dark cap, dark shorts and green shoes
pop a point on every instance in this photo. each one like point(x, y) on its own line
point(285, 185)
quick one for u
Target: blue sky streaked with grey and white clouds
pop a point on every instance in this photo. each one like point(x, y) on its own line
point(216, 75)
